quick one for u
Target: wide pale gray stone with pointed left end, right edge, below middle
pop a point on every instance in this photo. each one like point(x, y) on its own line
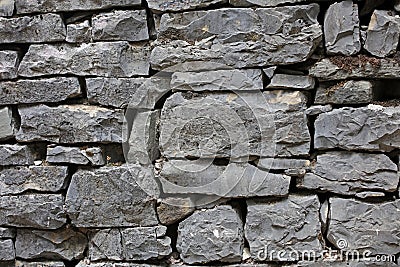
point(358, 172)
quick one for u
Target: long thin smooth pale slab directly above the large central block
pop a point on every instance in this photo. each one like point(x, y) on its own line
point(218, 80)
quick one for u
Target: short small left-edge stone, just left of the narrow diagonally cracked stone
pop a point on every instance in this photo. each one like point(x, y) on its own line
point(15, 155)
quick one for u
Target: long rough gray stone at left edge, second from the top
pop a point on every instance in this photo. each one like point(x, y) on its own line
point(32, 29)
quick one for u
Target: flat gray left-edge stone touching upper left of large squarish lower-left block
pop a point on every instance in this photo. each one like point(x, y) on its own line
point(16, 180)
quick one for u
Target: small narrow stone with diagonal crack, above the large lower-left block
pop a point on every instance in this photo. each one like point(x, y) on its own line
point(75, 155)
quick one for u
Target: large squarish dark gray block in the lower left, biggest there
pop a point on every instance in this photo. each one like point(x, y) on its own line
point(110, 197)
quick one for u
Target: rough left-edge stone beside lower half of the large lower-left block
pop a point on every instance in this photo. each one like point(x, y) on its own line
point(42, 211)
